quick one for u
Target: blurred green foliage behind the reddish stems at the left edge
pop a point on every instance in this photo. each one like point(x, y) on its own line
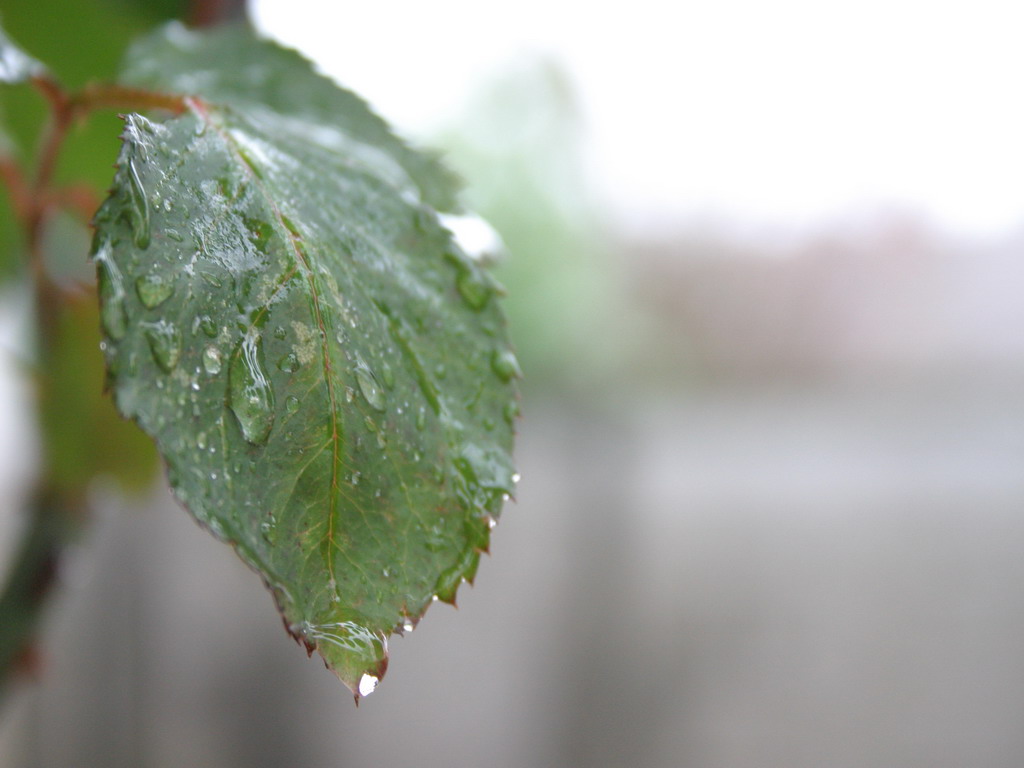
point(80, 41)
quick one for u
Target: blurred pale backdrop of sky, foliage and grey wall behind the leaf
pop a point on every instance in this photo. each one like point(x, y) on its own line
point(765, 277)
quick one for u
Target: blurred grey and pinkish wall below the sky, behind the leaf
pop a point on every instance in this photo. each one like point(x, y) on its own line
point(808, 554)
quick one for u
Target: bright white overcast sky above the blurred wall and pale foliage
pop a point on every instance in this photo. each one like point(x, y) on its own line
point(777, 114)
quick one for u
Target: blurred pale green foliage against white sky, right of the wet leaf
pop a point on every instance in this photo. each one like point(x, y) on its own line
point(518, 146)
